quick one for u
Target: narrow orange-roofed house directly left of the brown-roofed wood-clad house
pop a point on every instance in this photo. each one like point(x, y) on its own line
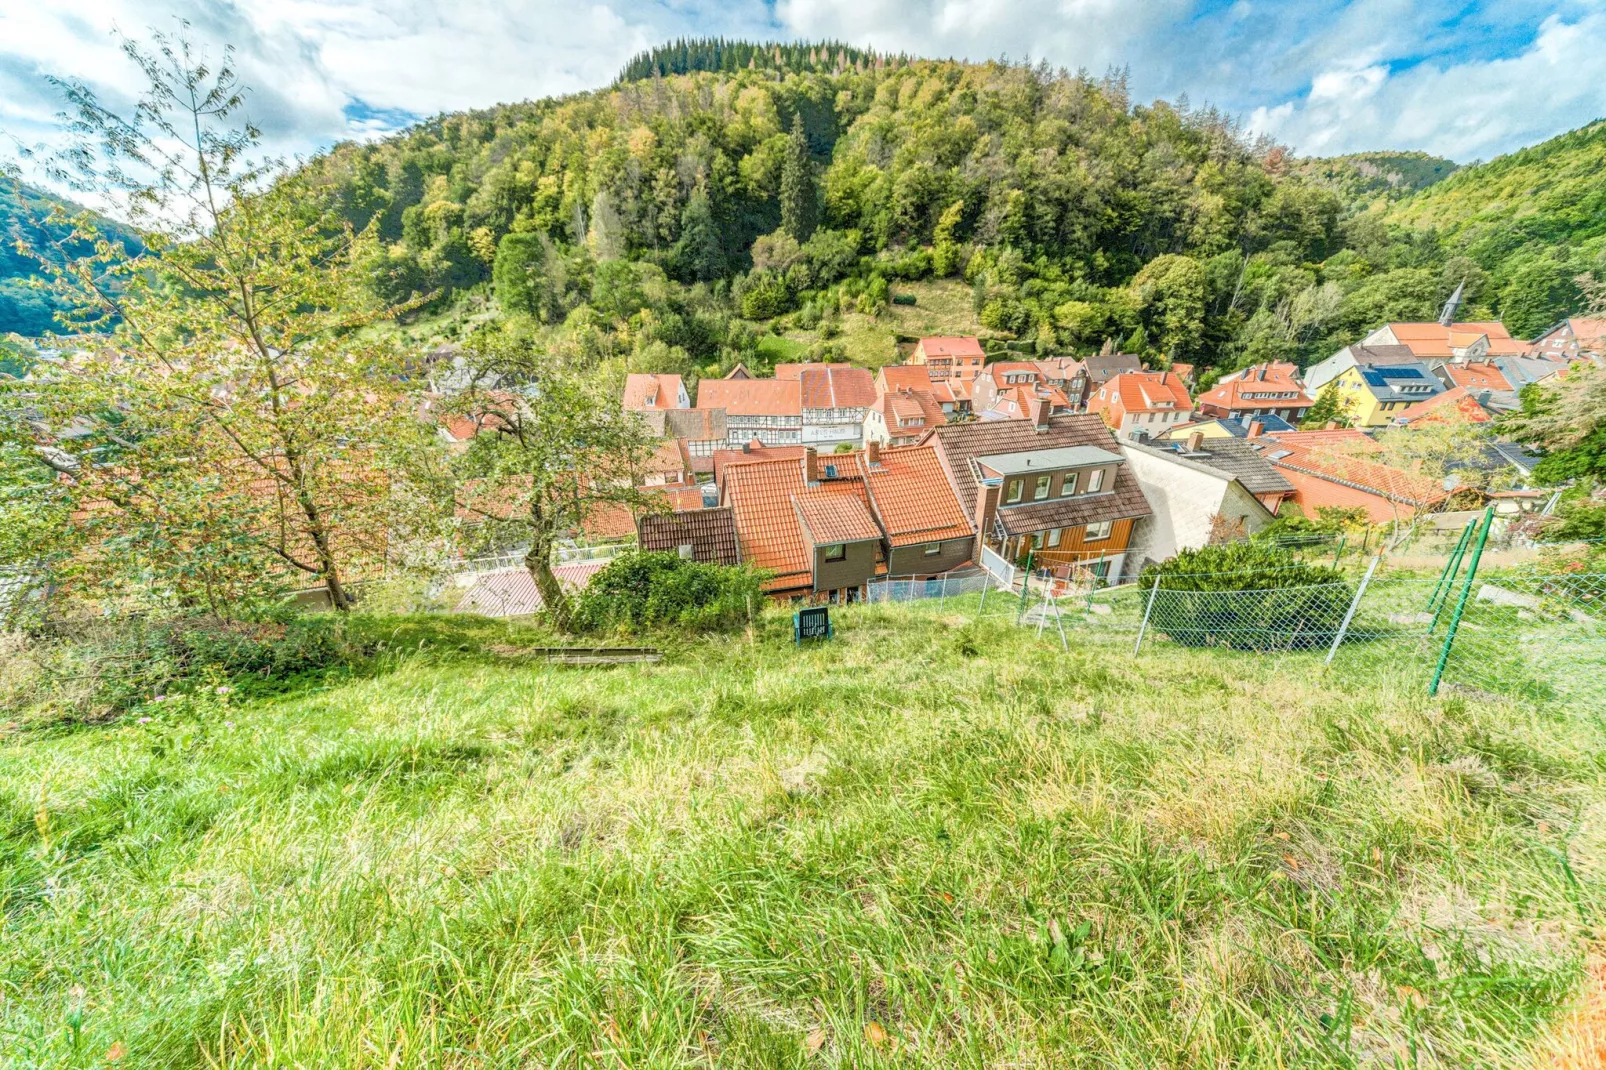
point(926, 531)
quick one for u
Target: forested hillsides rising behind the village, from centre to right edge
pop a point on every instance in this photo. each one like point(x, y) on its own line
point(802, 184)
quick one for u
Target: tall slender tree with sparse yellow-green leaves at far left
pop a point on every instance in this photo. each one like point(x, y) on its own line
point(240, 420)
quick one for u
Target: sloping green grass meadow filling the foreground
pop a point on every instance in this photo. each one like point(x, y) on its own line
point(931, 843)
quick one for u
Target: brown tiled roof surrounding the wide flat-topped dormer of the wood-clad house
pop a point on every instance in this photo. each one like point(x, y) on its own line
point(961, 444)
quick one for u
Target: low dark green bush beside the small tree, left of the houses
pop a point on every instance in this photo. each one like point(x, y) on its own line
point(654, 590)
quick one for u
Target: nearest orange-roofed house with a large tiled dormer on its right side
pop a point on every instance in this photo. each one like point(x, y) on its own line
point(809, 523)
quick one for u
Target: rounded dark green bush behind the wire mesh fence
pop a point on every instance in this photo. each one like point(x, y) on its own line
point(1247, 597)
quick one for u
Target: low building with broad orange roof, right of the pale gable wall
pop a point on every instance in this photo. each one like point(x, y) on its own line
point(1335, 470)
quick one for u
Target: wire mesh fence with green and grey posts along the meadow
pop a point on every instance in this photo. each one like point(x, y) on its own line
point(1523, 632)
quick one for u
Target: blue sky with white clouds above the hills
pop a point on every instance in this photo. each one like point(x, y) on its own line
point(1467, 81)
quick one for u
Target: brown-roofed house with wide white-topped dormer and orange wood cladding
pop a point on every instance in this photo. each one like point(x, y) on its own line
point(1053, 486)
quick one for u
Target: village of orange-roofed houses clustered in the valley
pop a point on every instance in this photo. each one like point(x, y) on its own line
point(833, 478)
